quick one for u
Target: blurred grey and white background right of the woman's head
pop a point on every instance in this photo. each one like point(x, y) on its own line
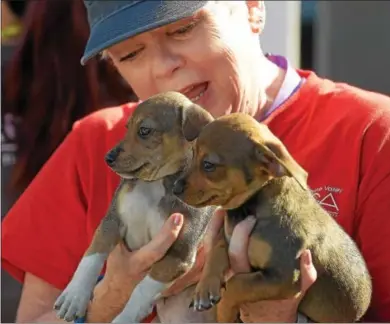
point(346, 41)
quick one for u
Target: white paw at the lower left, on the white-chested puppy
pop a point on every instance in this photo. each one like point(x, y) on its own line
point(72, 303)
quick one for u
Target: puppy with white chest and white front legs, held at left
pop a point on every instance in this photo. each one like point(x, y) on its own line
point(148, 160)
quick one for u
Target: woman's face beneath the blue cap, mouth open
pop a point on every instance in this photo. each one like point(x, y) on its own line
point(209, 57)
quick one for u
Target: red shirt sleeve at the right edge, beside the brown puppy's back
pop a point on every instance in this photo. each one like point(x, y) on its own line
point(373, 214)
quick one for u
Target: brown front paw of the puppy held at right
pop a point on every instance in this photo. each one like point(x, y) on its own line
point(208, 293)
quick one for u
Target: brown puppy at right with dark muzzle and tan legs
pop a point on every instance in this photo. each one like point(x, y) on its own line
point(240, 165)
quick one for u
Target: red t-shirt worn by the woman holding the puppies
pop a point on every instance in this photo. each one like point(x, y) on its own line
point(338, 133)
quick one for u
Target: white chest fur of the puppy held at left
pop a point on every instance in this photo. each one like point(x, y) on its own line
point(140, 213)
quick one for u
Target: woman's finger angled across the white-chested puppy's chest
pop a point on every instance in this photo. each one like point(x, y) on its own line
point(146, 256)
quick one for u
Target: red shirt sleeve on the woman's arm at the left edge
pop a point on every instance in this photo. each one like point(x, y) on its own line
point(44, 233)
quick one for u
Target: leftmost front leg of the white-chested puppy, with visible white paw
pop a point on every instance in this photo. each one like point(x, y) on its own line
point(73, 301)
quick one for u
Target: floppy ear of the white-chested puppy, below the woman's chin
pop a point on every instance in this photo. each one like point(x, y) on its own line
point(193, 120)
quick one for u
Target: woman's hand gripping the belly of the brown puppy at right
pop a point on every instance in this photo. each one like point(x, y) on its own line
point(266, 311)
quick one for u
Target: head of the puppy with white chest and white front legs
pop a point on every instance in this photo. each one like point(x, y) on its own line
point(157, 141)
